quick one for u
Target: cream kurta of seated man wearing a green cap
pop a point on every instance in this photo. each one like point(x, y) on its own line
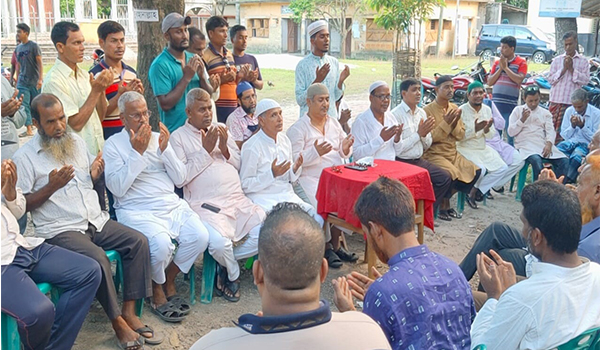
point(473, 145)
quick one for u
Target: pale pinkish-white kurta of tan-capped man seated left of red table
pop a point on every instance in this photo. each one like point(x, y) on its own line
point(303, 136)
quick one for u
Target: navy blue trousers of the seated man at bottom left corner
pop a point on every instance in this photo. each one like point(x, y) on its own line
point(41, 325)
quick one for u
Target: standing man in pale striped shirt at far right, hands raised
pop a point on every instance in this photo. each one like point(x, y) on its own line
point(568, 72)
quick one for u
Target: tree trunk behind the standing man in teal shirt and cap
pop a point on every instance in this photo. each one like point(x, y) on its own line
point(150, 45)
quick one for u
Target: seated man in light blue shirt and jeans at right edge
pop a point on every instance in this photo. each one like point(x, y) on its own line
point(579, 124)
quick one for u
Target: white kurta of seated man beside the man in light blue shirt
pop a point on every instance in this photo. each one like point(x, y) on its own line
point(531, 136)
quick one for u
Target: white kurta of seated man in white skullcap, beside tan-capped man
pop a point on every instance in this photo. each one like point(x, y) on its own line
point(258, 182)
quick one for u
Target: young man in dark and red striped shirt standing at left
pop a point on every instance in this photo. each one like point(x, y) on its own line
point(111, 38)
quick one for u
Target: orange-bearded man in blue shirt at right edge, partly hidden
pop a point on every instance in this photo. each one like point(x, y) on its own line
point(509, 243)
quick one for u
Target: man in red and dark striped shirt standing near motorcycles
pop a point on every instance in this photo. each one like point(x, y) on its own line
point(506, 77)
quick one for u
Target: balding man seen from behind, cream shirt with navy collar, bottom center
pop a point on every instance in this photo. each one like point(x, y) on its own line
point(288, 275)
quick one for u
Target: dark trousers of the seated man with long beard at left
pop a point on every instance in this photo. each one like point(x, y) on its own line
point(135, 254)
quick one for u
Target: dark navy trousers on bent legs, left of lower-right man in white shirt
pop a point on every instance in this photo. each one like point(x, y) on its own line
point(506, 240)
